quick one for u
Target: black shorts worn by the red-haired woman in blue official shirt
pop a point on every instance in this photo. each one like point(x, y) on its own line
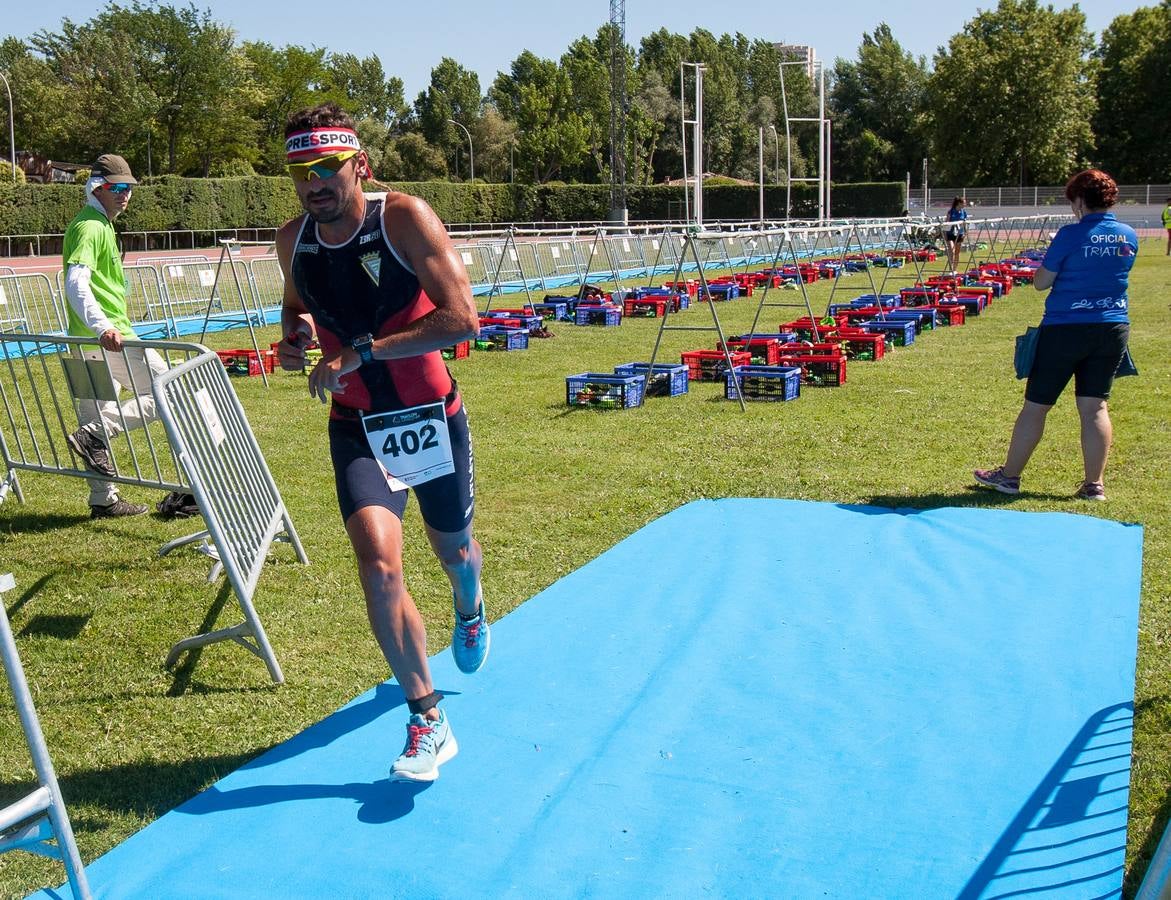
point(1088, 354)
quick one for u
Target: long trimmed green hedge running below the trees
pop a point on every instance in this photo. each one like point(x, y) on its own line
point(208, 204)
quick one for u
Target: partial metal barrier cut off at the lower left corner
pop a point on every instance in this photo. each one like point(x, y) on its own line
point(38, 820)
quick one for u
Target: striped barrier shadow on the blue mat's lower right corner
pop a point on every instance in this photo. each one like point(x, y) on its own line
point(1072, 832)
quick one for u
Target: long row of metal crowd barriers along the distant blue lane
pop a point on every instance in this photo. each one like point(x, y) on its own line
point(169, 296)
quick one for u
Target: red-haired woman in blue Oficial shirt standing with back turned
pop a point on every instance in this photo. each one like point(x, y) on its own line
point(1083, 335)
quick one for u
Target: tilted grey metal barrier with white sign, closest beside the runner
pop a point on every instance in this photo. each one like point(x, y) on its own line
point(232, 485)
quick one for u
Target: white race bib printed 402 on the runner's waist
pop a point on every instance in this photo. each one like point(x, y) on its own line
point(413, 445)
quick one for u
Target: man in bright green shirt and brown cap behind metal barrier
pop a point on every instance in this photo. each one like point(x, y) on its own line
point(97, 290)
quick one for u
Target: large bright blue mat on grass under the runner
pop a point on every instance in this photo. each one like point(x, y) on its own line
point(747, 698)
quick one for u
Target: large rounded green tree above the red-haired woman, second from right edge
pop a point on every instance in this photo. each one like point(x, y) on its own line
point(1012, 98)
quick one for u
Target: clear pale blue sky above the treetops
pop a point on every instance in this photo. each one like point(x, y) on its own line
point(412, 38)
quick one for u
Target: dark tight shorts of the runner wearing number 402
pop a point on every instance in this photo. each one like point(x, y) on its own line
point(446, 503)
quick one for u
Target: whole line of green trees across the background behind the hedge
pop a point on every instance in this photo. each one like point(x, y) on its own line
point(1024, 94)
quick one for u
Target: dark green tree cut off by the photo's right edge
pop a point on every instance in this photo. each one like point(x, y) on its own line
point(1134, 95)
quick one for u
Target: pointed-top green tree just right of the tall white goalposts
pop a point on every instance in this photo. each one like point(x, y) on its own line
point(878, 111)
